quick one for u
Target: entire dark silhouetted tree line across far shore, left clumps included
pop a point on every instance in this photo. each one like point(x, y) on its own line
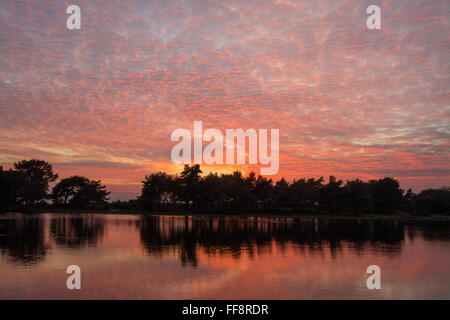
point(27, 185)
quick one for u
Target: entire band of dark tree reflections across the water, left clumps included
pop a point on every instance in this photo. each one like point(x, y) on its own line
point(23, 238)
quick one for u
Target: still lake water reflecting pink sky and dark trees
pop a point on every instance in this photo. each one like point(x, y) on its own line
point(177, 257)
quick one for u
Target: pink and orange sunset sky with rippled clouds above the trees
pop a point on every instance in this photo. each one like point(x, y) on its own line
point(103, 101)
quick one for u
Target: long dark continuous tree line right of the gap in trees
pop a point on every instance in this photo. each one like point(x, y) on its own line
point(235, 193)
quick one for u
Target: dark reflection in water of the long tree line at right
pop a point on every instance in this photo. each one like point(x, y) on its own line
point(235, 235)
